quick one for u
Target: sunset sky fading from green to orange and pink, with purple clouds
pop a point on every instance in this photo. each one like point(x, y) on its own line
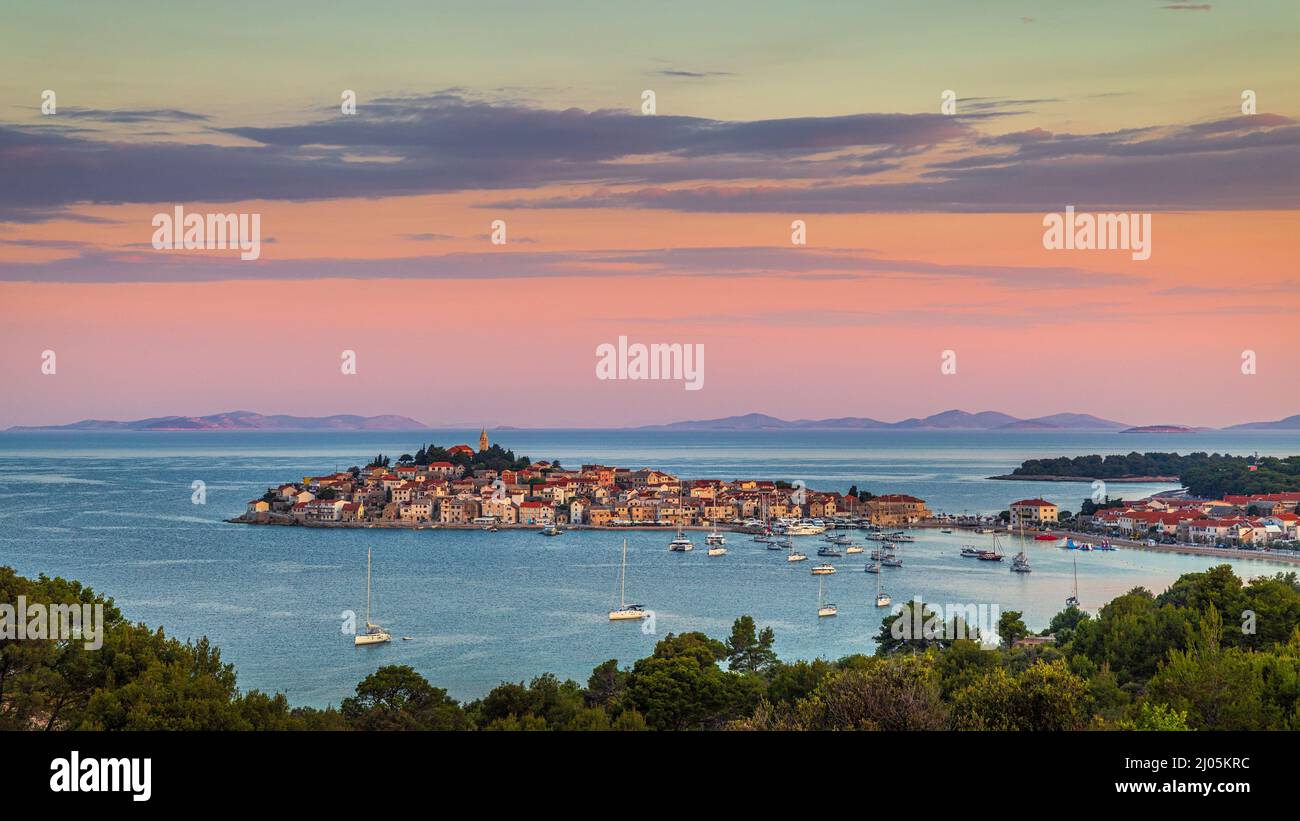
point(924, 284)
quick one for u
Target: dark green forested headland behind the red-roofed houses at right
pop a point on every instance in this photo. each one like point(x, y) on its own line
point(1210, 476)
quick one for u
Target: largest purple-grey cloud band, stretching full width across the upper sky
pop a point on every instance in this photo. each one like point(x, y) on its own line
point(843, 164)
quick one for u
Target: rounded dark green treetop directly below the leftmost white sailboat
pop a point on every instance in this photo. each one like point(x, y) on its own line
point(397, 698)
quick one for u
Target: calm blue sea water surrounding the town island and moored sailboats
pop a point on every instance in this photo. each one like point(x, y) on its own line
point(116, 512)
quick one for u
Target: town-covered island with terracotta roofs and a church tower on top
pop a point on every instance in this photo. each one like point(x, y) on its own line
point(491, 488)
